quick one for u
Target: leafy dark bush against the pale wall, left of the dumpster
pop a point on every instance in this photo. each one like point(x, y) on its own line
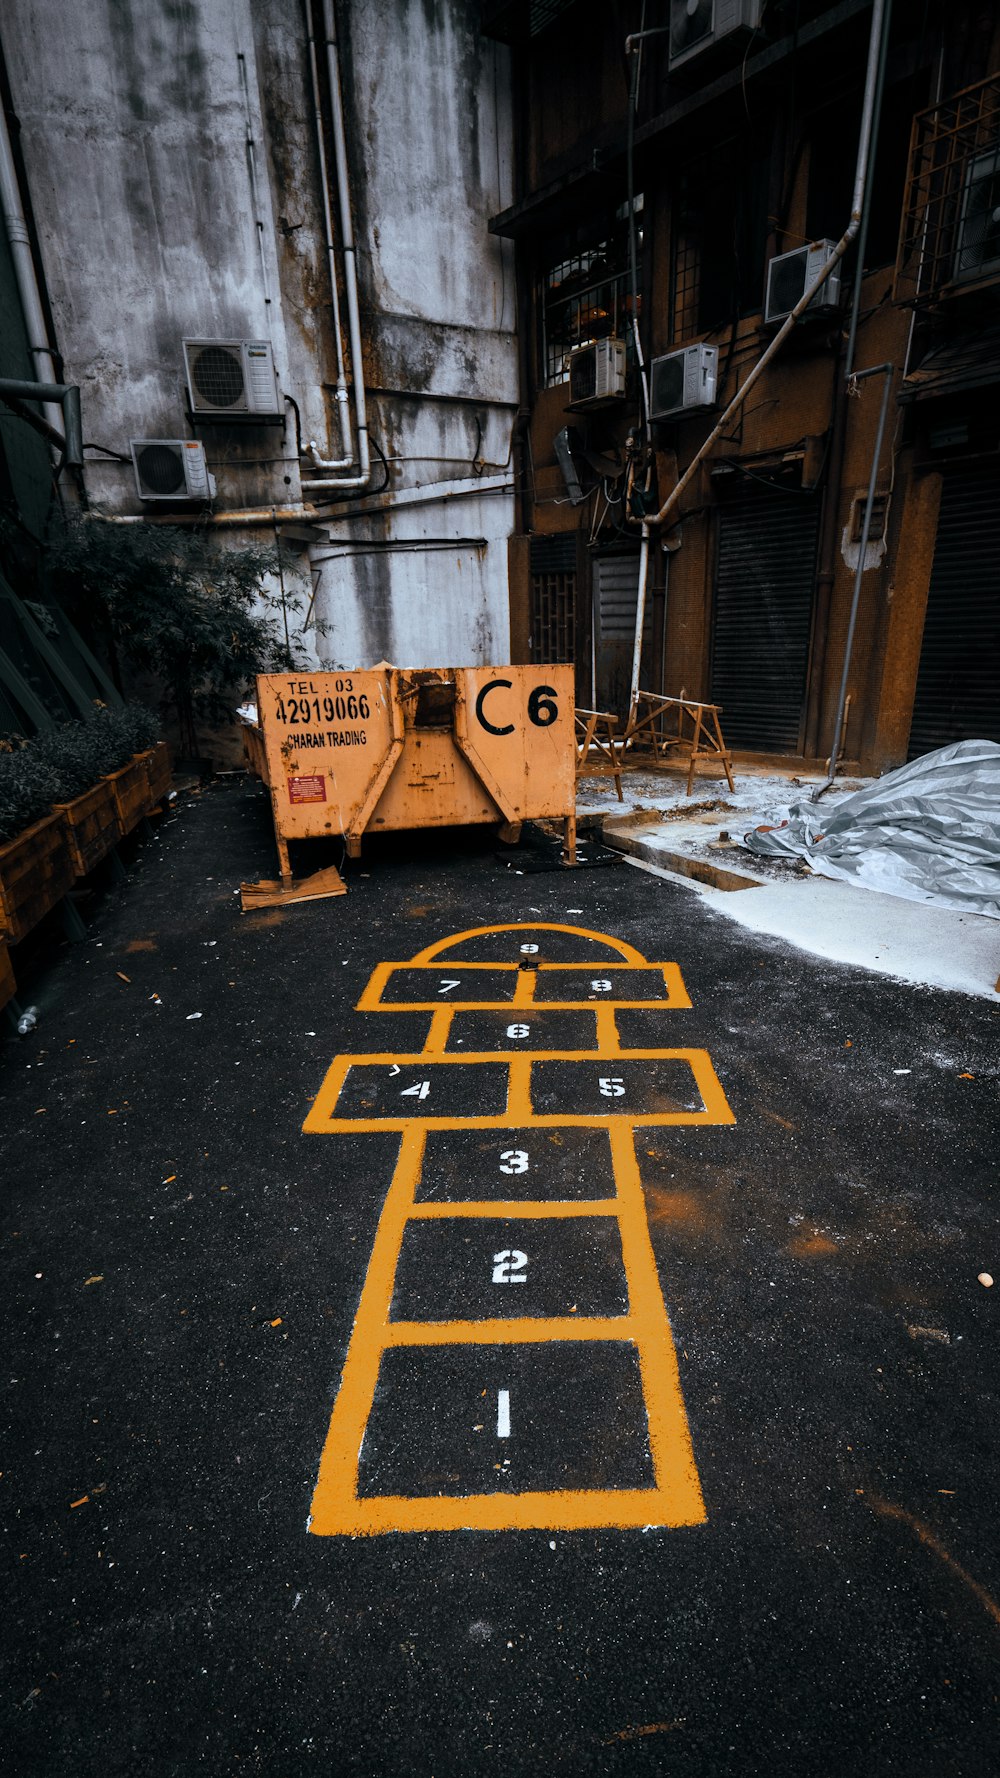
point(177, 605)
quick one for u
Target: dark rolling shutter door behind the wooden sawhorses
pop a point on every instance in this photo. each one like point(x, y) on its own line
point(764, 611)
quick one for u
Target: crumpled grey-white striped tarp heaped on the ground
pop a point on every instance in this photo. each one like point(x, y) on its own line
point(928, 833)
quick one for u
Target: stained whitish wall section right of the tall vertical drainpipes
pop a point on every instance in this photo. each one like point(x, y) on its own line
point(430, 132)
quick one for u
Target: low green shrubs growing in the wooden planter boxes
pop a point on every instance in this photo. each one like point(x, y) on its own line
point(61, 764)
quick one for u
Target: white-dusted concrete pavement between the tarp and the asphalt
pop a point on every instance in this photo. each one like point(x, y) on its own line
point(698, 840)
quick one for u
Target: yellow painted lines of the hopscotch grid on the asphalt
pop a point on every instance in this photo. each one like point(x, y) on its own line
point(675, 1498)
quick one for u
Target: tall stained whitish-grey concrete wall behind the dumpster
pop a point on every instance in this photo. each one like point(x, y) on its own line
point(134, 129)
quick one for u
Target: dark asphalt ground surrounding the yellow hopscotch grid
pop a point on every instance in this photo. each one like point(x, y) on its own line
point(181, 1277)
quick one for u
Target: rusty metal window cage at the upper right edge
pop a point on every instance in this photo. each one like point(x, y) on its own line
point(951, 216)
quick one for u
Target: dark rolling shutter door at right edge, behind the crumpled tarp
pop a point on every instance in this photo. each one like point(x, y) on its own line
point(958, 687)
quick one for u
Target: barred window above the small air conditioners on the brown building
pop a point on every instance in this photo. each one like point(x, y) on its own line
point(588, 296)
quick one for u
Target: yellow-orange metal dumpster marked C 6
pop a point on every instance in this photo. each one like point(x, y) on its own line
point(389, 749)
